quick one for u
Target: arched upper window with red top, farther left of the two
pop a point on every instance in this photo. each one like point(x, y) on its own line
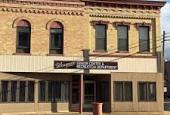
point(23, 36)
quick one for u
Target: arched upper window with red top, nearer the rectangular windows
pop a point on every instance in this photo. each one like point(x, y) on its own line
point(56, 38)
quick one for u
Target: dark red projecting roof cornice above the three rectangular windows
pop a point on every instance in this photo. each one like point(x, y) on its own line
point(136, 4)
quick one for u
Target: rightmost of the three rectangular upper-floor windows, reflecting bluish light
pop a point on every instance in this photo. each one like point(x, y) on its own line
point(144, 39)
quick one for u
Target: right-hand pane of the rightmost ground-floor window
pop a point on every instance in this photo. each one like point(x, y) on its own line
point(152, 91)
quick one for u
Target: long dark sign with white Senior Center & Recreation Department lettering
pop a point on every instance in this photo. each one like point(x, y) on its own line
point(85, 65)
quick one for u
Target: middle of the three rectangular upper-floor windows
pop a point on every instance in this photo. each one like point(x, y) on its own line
point(122, 31)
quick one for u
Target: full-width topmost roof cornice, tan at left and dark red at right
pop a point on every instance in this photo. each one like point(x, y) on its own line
point(130, 4)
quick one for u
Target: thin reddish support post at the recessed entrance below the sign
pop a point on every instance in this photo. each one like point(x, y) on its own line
point(81, 93)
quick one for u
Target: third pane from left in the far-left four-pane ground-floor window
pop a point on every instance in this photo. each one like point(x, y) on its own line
point(22, 91)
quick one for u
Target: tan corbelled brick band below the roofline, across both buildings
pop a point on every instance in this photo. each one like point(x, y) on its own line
point(78, 8)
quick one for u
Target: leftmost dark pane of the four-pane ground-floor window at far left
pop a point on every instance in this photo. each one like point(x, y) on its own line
point(4, 91)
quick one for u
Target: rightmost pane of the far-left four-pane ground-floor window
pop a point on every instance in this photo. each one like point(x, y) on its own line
point(30, 91)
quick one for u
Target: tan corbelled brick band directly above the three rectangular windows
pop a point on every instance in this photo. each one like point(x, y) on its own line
point(121, 13)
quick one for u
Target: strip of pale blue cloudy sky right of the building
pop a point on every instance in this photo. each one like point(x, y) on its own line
point(165, 26)
